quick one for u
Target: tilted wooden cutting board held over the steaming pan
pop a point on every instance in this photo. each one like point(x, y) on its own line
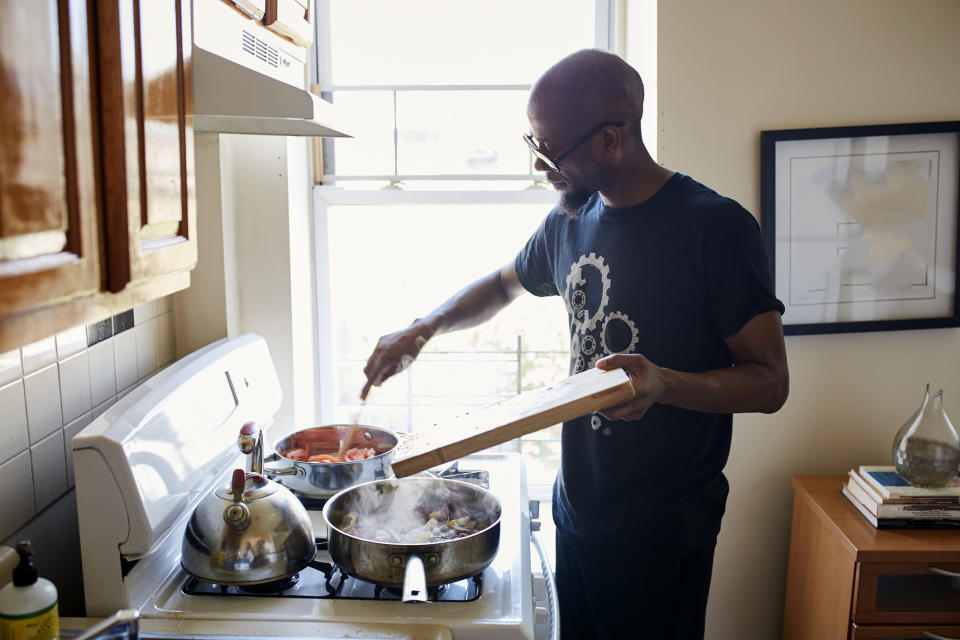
point(578, 395)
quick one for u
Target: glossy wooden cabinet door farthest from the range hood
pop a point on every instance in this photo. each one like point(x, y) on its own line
point(48, 218)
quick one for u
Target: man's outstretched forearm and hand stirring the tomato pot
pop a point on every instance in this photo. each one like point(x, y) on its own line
point(474, 304)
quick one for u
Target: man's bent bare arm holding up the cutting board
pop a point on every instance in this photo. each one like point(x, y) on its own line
point(758, 381)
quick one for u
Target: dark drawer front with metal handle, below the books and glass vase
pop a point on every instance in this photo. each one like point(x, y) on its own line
point(908, 593)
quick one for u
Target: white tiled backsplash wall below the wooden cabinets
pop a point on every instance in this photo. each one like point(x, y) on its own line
point(49, 391)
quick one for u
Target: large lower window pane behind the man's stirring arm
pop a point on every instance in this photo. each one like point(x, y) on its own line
point(390, 264)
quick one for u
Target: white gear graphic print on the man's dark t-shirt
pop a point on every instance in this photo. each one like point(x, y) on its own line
point(596, 330)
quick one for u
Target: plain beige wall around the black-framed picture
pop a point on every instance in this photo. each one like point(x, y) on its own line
point(728, 70)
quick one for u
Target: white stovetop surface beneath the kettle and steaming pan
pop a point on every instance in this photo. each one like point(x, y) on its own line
point(497, 604)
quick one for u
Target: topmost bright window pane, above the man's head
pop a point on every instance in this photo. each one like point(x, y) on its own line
point(452, 41)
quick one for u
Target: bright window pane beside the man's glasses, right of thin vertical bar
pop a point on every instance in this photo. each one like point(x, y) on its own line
point(462, 132)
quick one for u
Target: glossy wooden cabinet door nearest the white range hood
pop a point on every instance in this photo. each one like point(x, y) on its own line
point(147, 138)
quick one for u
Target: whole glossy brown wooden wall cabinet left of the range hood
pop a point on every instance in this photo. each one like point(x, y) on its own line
point(97, 203)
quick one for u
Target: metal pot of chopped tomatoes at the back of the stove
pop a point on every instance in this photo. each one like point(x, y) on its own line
point(325, 479)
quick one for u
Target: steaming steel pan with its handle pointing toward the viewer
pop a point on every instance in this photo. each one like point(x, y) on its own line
point(411, 566)
